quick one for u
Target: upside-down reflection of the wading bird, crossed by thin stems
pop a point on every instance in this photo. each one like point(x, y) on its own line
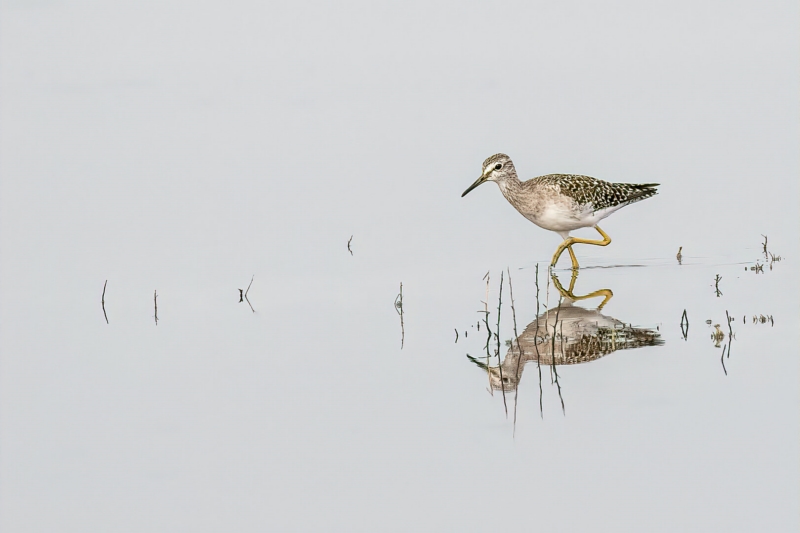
point(581, 335)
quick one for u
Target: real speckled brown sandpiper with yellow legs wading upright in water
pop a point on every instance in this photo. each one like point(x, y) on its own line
point(562, 202)
